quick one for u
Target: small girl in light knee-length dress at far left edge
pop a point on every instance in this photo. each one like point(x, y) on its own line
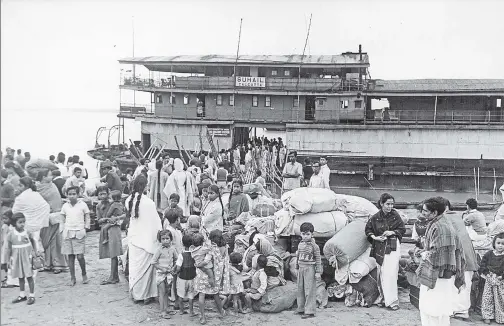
point(20, 247)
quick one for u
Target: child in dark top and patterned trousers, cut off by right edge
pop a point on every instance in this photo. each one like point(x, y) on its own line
point(492, 269)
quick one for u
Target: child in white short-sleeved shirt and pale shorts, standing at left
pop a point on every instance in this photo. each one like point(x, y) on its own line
point(76, 220)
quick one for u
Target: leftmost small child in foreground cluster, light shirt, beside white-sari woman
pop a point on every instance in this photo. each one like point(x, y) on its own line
point(164, 261)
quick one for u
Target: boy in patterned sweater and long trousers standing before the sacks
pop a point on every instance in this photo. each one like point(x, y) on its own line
point(309, 269)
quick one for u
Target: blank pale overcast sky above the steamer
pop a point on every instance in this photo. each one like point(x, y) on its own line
point(63, 54)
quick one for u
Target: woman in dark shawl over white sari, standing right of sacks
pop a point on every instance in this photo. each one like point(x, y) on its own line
point(384, 231)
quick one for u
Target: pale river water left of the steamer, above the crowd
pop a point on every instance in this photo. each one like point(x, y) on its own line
point(48, 132)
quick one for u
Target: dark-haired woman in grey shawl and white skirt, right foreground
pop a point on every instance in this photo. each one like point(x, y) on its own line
point(442, 266)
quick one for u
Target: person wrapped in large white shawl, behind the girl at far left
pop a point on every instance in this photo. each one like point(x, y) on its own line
point(34, 208)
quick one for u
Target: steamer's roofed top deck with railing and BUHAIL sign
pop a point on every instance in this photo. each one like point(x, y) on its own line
point(272, 74)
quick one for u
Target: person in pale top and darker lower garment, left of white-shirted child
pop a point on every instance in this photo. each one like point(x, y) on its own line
point(51, 236)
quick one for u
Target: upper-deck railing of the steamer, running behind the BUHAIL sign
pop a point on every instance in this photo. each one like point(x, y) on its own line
point(325, 85)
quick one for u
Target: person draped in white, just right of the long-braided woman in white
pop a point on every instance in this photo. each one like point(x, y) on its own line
point(179, 182)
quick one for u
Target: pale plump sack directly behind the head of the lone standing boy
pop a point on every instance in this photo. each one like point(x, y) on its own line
point(326, 224)
